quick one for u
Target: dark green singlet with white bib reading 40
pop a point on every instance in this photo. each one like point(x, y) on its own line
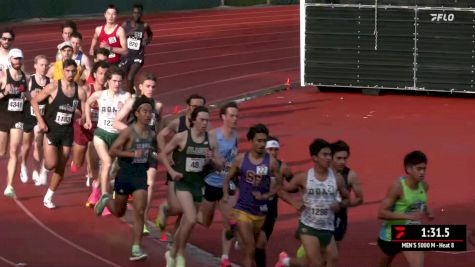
point(191, 160)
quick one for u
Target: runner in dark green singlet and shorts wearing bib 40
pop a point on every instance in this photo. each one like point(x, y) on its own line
point(192, 150)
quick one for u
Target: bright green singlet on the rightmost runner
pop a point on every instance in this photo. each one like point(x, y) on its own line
point(411, 201)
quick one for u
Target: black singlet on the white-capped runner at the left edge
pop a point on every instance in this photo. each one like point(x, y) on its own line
point(14, 100)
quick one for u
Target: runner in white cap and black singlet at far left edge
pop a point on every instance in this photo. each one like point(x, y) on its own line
point(13, 85)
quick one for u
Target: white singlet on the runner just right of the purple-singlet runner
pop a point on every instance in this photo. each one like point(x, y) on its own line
point(317, 199)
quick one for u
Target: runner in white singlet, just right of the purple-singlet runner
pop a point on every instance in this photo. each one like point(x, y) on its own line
point(324, 194)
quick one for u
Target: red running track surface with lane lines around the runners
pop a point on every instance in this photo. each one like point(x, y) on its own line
point(221, 53)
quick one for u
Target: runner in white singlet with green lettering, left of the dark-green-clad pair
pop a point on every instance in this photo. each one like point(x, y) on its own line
point(110, 102)
